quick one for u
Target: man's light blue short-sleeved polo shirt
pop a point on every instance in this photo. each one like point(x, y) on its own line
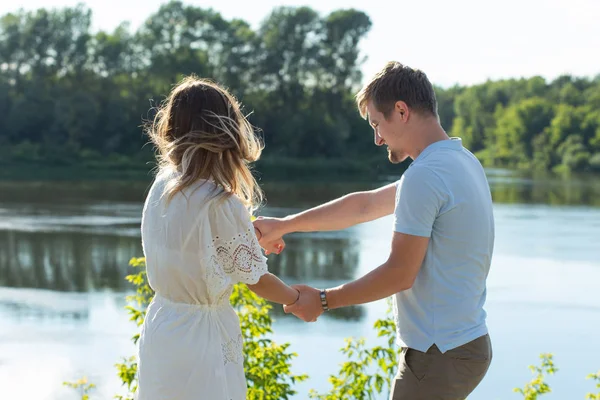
point(444, 195)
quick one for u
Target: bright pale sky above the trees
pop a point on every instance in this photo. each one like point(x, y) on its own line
point(453, 41)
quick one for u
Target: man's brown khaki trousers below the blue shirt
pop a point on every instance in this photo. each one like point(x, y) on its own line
point(436, 376)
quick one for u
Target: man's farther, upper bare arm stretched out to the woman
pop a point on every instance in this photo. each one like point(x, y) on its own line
point(347, 211)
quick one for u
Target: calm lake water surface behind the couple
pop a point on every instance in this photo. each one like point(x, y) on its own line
point(65, 246)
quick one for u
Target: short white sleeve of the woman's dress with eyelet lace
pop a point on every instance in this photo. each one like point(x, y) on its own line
point(234, 243)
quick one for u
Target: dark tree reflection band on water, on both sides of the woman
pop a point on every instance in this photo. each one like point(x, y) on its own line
point(72, 261)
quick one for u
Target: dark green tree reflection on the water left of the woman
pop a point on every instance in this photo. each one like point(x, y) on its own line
point(65, 261)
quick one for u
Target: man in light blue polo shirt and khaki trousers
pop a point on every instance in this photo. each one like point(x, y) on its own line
point(441, 248)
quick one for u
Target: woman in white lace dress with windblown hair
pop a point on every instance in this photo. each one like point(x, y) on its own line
point(199, 241)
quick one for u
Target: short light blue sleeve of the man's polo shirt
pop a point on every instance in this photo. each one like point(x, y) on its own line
point(420, 195)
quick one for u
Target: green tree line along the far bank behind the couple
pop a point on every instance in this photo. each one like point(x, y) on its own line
point(73, 97)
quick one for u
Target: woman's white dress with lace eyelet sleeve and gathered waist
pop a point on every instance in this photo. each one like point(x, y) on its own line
point(196, 249)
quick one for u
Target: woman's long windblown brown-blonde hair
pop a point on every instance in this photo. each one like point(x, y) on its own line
point(200, 131)
